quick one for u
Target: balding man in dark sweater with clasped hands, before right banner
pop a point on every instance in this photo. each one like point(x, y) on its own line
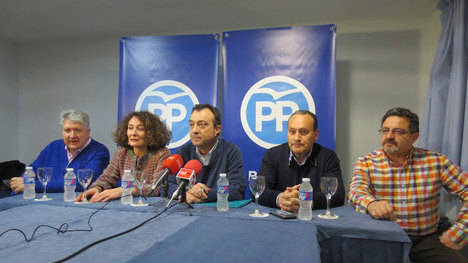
point(285, 165)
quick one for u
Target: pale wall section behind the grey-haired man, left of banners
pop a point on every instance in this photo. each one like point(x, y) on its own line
point(54, 76)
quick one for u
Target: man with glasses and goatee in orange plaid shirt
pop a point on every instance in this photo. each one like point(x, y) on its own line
point(403, 183)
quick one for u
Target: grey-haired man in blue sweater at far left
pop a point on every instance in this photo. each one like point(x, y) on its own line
point(76, 150)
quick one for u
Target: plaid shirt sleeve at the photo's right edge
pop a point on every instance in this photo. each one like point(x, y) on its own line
point(456, 182)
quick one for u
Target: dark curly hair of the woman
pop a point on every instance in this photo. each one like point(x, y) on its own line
point(157, 135)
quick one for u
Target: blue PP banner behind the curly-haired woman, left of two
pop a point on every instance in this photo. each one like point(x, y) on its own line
point(168, 75)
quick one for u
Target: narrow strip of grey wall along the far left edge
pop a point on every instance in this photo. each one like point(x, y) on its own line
point(8, 101)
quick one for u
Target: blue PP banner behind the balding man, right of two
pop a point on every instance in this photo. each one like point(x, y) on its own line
point(269, 74)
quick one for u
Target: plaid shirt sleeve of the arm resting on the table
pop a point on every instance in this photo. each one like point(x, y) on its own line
point(360, 195)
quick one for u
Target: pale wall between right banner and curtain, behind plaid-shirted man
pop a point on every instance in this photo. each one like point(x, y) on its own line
point(380, 64)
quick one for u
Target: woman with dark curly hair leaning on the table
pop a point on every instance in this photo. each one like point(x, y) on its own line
point(142, 139)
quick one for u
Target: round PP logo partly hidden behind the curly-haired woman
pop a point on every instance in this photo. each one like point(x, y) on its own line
point(172, 101)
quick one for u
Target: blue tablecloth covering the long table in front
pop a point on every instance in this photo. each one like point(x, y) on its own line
point(200, 234)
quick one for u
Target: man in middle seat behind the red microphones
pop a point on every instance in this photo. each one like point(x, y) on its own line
point(216, 155)
